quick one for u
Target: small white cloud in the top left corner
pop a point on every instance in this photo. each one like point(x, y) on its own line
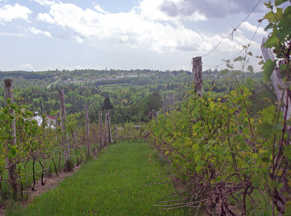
point(9, 13)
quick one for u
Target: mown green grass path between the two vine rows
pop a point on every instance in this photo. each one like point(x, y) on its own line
point(117, 183)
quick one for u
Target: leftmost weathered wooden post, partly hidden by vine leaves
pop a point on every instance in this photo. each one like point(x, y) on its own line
point(8, 83)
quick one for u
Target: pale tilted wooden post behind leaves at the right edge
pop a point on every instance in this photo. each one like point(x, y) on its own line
point(277, 80)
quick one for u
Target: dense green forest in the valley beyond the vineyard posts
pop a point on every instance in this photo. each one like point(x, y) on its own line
point(131, 102)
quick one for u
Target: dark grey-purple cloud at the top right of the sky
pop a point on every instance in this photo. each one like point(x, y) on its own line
point(208, 8)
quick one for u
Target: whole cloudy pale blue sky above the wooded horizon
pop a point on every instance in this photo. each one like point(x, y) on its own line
point(41, 35)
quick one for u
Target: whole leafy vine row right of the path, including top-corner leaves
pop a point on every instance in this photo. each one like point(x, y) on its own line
point(225, 158)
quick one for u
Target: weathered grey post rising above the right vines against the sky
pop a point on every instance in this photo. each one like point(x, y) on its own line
point(197, 75)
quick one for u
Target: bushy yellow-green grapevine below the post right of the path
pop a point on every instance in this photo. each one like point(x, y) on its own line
point(215, 147)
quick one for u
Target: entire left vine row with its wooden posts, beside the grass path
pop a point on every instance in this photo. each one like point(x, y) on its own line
point(31, 151)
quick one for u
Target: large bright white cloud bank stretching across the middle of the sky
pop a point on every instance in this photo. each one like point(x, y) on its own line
point(132, 28)
